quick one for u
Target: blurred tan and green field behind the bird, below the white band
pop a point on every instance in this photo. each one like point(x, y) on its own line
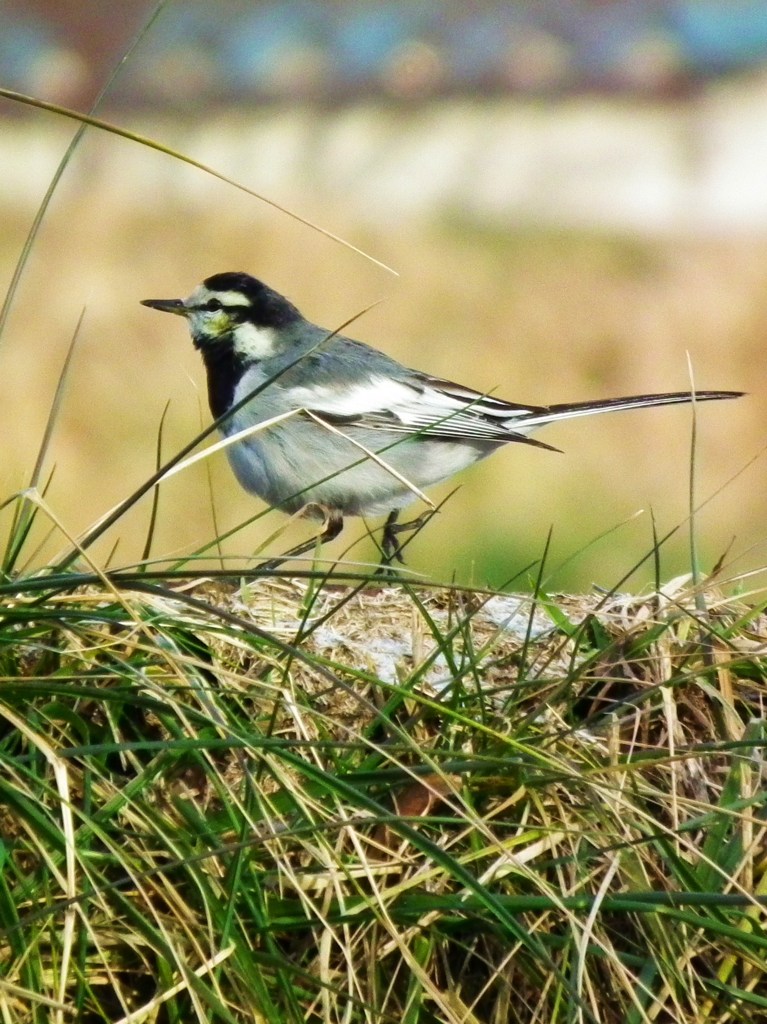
point(535, 317)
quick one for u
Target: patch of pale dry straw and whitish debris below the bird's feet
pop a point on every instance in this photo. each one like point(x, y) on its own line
point(385, 634)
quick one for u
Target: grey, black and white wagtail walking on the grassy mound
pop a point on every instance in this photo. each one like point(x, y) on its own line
point(355, 433)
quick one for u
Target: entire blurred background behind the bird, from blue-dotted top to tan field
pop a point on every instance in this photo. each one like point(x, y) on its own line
point(573, 193)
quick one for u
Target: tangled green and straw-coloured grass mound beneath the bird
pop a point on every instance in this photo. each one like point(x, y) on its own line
point(309, 802)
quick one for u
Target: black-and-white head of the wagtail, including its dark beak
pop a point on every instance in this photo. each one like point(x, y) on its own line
point(236, 313)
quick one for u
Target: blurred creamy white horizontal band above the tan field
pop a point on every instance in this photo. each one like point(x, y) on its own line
point(696, 167)
